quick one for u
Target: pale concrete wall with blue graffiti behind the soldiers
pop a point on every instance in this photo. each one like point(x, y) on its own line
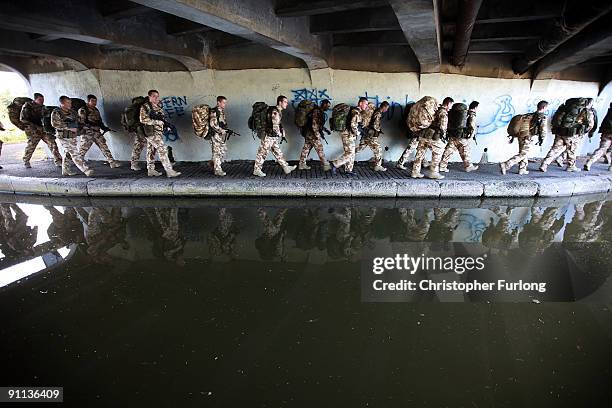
point(500, 99)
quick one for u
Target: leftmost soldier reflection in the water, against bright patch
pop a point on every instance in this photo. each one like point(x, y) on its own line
point(16, 236)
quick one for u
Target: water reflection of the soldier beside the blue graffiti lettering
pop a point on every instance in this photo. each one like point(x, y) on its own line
point(168, 240)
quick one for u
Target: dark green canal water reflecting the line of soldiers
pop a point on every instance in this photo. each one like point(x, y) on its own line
point(266, 302)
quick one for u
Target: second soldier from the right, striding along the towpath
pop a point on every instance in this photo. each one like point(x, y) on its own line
point(586, 121)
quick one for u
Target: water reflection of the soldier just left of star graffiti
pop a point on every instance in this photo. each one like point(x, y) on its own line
point(271, 242)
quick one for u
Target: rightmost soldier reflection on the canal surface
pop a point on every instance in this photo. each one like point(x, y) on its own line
point(586, 225)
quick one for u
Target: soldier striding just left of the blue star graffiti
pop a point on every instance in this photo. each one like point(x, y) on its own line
point(269, 141)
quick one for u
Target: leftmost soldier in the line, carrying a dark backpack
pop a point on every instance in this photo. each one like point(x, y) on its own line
point(31, 117)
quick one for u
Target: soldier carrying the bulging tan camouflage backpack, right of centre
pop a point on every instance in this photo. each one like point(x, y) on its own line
point(432, 138)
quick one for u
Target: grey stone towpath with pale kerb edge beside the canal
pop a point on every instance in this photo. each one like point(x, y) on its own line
point(198, 180)
